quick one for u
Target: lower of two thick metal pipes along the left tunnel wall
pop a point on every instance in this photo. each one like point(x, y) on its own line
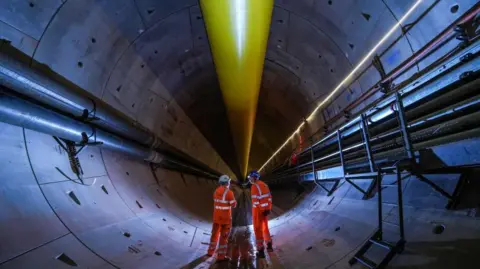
point(16, 111)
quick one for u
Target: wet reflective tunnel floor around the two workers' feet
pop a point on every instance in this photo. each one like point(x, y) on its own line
point(242, 251)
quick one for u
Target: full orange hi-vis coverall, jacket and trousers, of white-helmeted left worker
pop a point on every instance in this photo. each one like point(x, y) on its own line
point(223, 200)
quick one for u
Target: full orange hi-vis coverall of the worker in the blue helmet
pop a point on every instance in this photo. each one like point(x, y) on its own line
point(261, 202)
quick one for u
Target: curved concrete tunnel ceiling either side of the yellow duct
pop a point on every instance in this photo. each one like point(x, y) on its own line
point(140, 55)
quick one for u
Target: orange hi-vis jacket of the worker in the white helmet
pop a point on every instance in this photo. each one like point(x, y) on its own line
point(223, 201)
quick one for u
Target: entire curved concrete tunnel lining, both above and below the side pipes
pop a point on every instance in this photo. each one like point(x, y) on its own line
point(129, 53)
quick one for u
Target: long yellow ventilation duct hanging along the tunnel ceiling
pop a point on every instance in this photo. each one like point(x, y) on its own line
point(238, 33)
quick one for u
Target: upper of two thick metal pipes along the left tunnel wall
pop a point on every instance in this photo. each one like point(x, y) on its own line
point(17, 76)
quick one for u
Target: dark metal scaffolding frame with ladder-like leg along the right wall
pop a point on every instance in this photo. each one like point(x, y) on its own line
point(408, 162)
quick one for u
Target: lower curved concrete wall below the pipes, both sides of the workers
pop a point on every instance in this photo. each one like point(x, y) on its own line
point(124, 218)
